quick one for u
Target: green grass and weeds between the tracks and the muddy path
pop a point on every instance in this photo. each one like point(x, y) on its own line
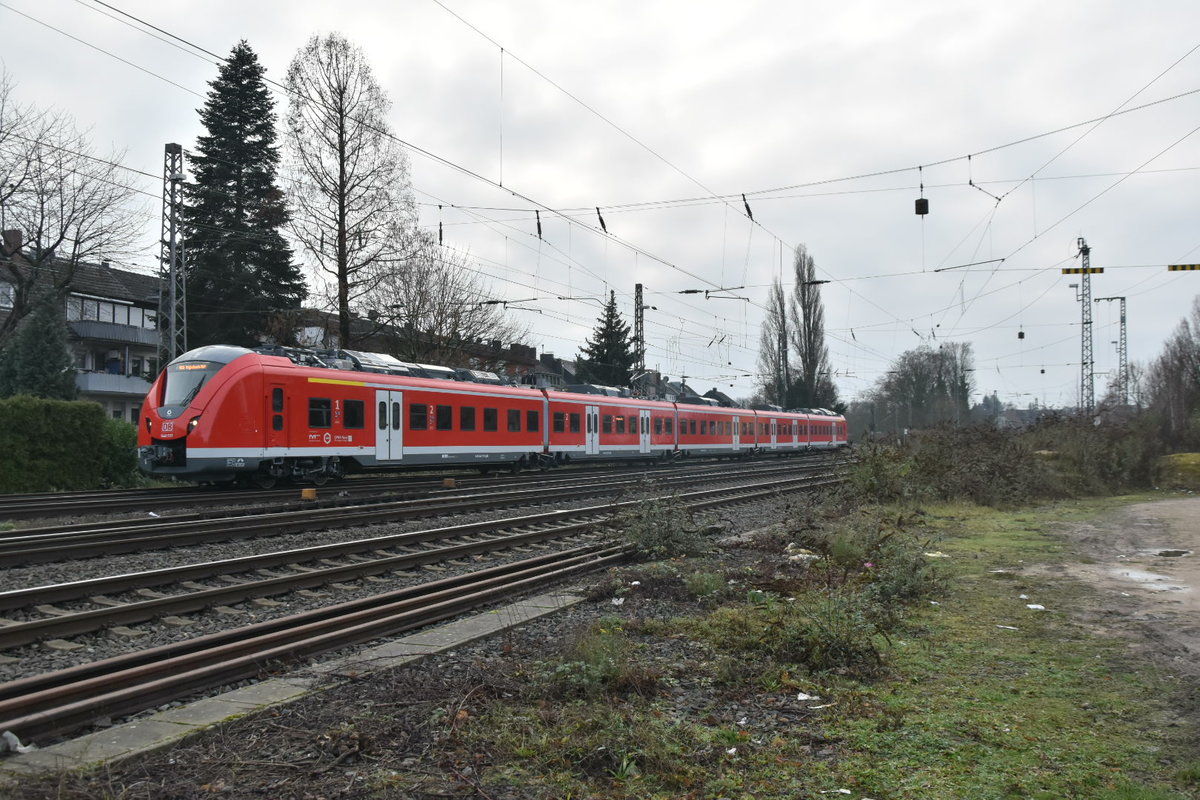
point(795, 684)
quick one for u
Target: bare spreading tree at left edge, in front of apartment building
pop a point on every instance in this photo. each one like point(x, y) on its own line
point(69, 204)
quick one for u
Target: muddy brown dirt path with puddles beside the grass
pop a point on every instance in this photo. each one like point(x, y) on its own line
point(1145, 561)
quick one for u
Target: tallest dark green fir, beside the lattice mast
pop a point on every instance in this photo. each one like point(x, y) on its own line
point(239, 266)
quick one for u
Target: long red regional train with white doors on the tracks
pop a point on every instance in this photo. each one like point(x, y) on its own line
point(223, 414)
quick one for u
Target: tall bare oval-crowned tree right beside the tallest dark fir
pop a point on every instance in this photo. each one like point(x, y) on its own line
point(351, 191)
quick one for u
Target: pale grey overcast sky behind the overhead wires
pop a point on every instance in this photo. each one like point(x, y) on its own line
point(664, 113)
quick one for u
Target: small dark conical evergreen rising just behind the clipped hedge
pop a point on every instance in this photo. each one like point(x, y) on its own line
point(37, 362)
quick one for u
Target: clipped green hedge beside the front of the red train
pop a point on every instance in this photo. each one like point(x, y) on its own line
point(50, 446)
